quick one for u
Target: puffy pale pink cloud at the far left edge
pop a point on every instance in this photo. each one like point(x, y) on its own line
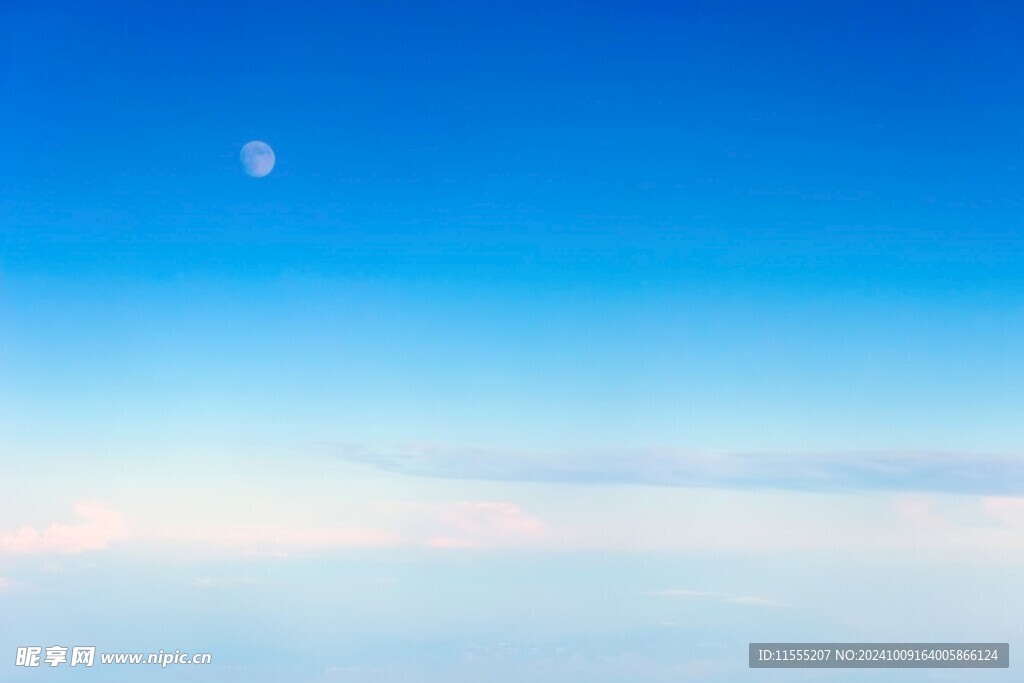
point(99, 528)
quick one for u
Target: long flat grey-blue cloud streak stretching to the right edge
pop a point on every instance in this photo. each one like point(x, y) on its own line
point(895, 472)
